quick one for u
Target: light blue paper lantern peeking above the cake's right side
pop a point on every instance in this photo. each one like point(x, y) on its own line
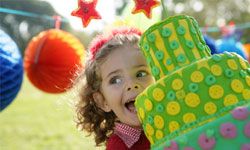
point(230, 45)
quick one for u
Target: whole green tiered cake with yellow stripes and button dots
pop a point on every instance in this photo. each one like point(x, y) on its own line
point(199, 100)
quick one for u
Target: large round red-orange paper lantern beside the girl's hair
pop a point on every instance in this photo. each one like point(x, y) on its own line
point(52, 59)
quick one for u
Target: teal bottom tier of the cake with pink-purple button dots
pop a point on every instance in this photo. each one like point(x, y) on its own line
point(230, 132)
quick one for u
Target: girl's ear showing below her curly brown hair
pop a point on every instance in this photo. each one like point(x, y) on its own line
point(101, 102)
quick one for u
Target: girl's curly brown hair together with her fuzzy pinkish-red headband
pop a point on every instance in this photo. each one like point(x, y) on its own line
point(89, 116)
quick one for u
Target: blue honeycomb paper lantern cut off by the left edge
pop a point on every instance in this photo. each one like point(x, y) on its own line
point(11, 67)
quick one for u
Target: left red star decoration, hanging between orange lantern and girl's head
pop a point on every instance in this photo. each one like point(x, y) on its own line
point(86, 11)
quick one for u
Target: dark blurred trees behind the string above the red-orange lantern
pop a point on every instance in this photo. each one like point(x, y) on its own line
point(23, 28)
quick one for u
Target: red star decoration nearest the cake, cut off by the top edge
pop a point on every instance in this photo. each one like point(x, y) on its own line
point(145, 6)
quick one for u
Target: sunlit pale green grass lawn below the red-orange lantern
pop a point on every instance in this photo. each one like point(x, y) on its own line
point(39, 121)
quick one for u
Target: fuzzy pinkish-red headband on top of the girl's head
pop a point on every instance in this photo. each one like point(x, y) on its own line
point(100, 40)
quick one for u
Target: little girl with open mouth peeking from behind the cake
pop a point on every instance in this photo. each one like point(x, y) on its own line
point(114, 74)
